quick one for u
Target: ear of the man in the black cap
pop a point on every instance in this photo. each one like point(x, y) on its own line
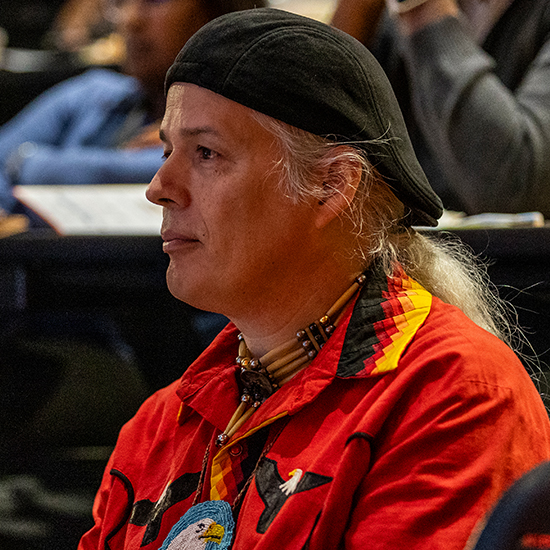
point(340, 183)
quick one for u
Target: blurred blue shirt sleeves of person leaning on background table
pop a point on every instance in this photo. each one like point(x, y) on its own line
point(65, 137)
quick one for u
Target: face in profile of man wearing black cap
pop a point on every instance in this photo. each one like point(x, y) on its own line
point(232, 236)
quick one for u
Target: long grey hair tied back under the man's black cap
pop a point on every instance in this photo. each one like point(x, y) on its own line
point(445, 267)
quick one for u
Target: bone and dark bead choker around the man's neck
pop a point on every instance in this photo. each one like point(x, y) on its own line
point(260, 377)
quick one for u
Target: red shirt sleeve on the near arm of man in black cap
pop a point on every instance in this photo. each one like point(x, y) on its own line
point(444, 457)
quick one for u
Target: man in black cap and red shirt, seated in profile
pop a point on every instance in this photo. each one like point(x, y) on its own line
point(361, 410)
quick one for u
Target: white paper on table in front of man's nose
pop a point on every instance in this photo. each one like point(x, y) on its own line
point(117, 209)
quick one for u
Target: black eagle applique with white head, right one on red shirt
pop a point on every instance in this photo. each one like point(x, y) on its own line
point(274, 491)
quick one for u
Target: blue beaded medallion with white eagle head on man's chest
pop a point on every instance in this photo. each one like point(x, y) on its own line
point(206, 526)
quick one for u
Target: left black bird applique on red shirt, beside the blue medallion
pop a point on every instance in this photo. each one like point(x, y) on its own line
point(146, 512)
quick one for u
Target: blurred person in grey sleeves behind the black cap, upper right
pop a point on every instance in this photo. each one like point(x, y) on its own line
point(471, 78)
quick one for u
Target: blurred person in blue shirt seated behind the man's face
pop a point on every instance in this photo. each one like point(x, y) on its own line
point(102, 126)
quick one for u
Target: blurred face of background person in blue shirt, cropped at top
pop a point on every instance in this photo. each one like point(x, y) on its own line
point(154, 32)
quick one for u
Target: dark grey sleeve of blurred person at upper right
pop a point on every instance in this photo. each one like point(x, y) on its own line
point(490, 142)
